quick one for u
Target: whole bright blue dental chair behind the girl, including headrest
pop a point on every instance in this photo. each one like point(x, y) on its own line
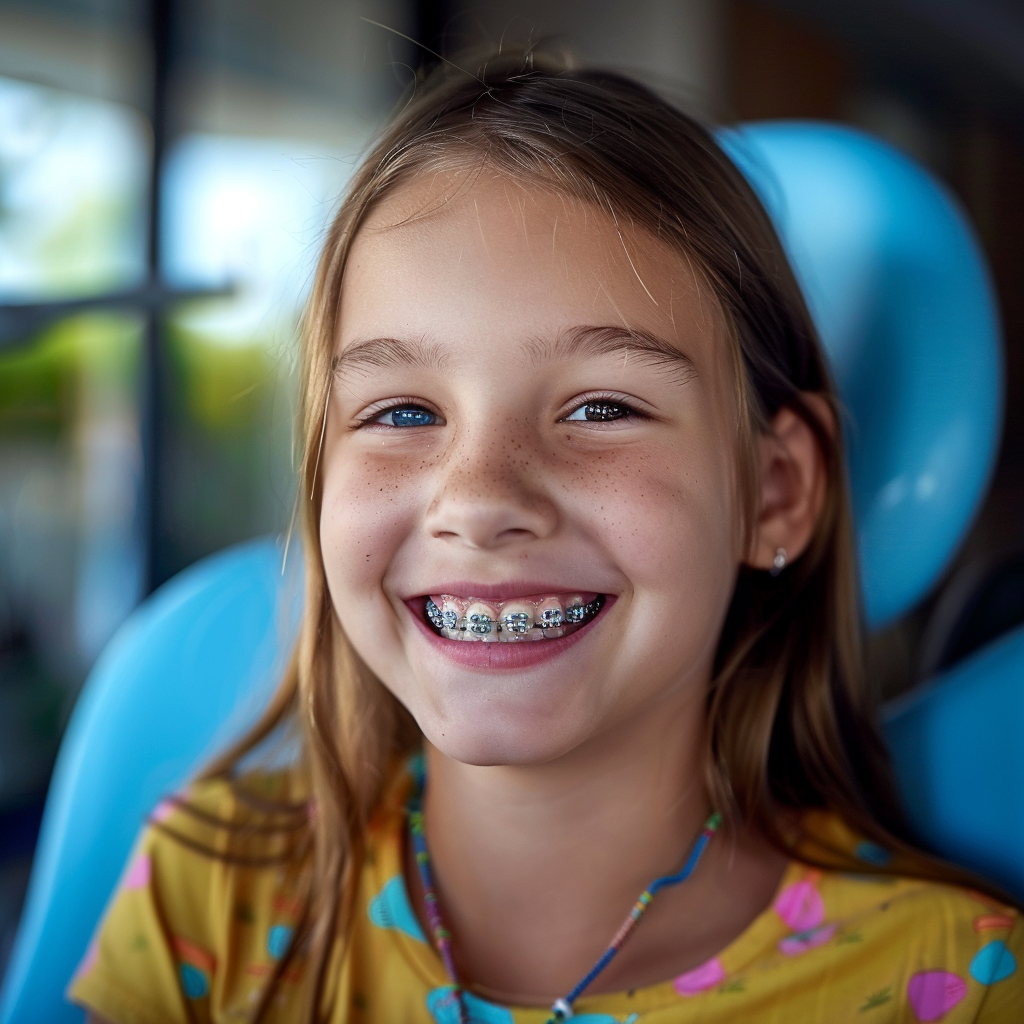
point(901, 294)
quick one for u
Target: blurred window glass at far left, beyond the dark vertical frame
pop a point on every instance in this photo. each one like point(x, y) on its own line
point(72, 180)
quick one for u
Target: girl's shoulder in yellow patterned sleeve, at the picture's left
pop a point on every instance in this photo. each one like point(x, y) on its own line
point(207, 903)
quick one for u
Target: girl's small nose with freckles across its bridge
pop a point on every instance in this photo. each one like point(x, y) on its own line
point(492, 495)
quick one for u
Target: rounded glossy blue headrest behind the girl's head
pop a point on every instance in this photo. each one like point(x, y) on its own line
point(900, 291)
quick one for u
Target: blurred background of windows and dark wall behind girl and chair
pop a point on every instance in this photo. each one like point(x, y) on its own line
point(167, 168)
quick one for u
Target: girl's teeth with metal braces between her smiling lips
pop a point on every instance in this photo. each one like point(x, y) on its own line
point(516, 621)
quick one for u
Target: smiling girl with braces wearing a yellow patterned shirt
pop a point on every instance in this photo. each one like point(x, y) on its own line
point(581, 626)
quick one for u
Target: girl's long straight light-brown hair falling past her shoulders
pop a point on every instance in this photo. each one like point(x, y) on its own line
point(790, 719)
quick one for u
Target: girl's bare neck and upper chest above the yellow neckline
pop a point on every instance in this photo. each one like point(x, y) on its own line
point(537, 867)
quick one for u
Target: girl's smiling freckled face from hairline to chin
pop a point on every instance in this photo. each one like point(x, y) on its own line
point(477, 448)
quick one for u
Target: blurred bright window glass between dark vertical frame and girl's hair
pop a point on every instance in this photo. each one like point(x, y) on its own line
point(248, 214)
